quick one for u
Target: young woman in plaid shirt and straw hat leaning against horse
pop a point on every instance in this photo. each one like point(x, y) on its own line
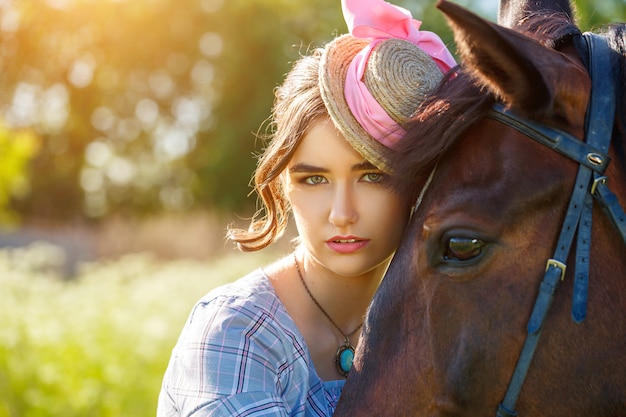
point(280, 341)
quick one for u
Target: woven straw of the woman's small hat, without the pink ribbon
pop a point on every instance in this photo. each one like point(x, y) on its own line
point(399, 75)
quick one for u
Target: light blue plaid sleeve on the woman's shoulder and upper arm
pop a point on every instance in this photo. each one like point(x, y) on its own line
point(230, 360)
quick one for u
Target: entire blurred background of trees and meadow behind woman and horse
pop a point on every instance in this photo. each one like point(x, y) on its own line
point(127, 142)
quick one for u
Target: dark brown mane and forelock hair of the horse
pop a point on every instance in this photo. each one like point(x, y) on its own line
point(460, 101)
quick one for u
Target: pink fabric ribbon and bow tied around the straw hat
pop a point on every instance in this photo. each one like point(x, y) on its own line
point(378, 20)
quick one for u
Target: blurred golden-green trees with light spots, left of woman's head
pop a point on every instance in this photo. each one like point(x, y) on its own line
point(147, 105)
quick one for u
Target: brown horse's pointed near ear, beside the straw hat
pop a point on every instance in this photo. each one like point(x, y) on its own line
point(526, 75)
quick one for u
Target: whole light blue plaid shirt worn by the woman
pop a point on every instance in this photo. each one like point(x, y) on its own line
point(241, 354)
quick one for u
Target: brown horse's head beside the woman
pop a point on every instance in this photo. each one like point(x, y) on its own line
point(446, 328)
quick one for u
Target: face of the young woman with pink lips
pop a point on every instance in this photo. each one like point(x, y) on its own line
point(347, 216)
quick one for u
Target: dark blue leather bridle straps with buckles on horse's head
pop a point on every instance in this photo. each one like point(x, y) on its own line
point(592, 157)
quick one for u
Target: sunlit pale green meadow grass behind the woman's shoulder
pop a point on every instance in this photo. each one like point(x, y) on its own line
point(97, 345)
